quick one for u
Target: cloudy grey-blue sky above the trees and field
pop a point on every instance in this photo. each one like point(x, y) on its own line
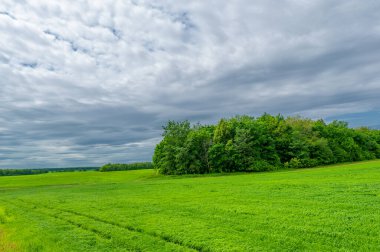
point(83, 83)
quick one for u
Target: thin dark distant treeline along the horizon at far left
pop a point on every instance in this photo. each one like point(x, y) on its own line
point(14, 172)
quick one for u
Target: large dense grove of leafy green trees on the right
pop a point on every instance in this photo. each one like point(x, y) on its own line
point(245, 143)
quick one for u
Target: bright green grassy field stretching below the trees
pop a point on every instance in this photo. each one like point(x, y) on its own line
point(330, 208)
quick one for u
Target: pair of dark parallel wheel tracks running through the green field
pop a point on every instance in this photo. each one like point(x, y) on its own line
point(163, 237)
